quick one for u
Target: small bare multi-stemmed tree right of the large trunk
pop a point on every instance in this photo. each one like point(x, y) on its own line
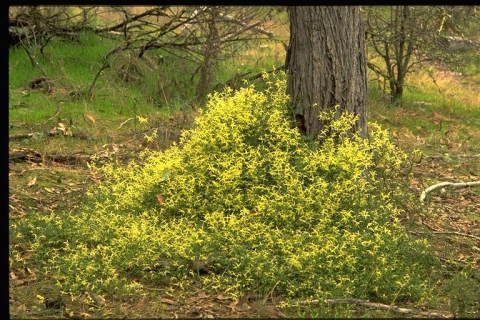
point(400, 37)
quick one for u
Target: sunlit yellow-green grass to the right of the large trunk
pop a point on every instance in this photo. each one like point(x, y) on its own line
point(448, 118)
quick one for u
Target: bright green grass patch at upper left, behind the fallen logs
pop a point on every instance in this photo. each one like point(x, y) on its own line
point(73, 67)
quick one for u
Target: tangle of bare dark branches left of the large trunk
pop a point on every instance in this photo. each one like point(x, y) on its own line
point(201, 36)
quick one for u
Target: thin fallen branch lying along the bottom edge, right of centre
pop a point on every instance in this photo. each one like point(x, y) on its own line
point(381, 306)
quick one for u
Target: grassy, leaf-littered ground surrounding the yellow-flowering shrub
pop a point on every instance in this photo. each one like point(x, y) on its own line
point(55, 132)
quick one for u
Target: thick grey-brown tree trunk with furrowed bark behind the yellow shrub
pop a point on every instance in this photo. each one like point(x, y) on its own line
point(326, 65)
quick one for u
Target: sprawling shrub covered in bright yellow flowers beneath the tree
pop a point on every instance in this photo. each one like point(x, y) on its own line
point(265, 208)
